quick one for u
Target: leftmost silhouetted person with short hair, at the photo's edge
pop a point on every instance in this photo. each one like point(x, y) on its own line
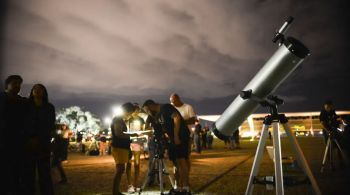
point(12, 120)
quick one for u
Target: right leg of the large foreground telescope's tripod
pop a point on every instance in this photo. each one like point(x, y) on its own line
point(301, 158)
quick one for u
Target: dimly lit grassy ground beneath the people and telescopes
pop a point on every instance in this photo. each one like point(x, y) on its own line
point(216, 171)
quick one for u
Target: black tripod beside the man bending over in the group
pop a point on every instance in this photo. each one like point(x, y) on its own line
point(157, 166)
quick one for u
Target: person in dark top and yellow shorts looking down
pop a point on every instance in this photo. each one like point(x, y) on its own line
point(121, 144)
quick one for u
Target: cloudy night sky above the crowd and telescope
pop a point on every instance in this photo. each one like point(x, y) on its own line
point(98, 53)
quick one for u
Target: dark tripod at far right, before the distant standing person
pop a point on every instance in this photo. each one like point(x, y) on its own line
point(331, 143)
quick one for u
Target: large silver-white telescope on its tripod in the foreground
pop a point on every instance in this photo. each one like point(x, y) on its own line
point(289, 55)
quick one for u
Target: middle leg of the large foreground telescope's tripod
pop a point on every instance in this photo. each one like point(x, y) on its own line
point(278, 159)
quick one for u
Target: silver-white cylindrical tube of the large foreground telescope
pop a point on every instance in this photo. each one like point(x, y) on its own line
point(283, 62)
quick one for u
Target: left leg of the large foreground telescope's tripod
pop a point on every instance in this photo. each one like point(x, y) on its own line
point(257, 160)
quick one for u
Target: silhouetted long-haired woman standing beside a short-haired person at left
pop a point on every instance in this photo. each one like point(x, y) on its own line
point(40, 129)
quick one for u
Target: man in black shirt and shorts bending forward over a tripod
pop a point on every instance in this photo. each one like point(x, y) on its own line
point(177, 130)
